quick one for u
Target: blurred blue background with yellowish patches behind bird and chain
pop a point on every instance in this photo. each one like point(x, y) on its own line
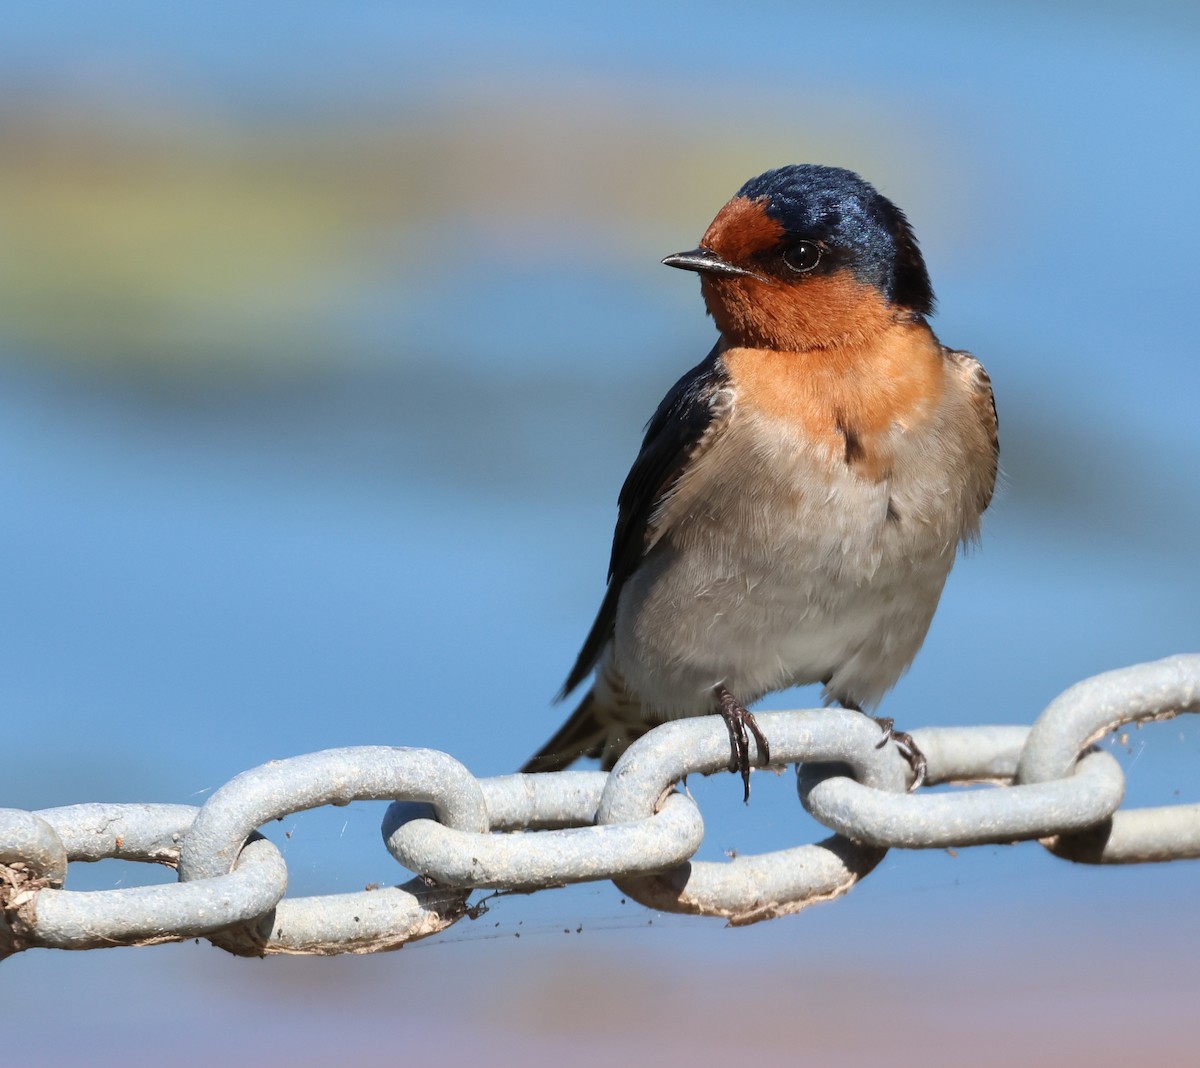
point(327, 338)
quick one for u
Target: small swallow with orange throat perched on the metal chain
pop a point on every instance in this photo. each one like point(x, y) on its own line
point(801, 494)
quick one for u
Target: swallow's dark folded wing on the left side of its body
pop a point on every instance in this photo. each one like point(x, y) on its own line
point(671, 436)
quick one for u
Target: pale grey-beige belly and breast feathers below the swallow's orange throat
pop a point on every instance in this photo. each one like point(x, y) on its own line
point(776, 562)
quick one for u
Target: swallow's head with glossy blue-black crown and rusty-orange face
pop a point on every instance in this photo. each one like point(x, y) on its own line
point(809, 257)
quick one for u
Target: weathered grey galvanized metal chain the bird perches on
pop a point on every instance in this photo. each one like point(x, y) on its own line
point(632, 826)
